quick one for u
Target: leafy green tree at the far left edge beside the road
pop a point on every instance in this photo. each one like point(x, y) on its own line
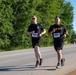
point(6, 27)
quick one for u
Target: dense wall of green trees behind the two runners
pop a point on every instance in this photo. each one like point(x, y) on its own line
point(15, 17)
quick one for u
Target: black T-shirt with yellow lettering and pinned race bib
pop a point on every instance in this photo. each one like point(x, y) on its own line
point(60, 31)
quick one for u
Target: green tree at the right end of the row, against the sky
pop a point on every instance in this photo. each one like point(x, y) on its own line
point(67, 18)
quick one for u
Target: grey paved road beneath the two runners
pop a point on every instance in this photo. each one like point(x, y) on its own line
point(22, 62)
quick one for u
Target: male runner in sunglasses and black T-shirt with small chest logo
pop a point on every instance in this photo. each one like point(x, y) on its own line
point(36, 31)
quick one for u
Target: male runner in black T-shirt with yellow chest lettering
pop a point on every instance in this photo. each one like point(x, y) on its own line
point(59, 33)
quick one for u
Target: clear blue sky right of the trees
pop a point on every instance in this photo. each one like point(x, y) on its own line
point(73, 3)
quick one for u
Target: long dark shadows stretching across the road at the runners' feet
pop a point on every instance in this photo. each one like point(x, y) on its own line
point(26, 68)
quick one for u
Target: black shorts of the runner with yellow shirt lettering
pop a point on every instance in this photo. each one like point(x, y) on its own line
point(58, 44)
